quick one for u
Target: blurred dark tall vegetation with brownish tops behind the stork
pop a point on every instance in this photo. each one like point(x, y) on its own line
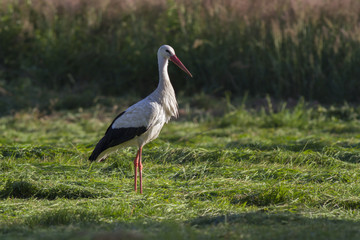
point(64, 54)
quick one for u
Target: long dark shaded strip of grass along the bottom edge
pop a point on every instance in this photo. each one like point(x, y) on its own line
point(252, 225)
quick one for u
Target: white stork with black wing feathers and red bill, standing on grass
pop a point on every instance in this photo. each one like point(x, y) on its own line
point(143, 121)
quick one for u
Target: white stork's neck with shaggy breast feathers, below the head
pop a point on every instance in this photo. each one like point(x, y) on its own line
point(165, 93)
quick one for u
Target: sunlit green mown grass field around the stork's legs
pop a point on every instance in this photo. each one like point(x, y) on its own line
point(271, 173)
